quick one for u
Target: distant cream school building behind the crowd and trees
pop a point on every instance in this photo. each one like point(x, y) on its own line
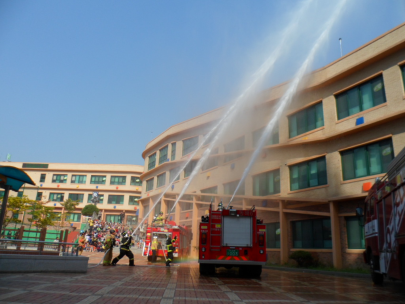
point(118, 188)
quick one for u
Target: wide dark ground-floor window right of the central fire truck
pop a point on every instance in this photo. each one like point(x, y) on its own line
point(312, 234)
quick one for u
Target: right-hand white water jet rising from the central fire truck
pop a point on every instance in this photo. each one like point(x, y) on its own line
point(291, 91)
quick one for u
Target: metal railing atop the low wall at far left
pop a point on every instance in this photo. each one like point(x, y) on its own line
point(38, 247)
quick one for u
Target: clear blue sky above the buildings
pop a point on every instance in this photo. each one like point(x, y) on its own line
point(95, 81)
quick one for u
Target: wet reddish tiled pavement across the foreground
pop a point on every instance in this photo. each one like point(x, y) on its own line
point(183, 284)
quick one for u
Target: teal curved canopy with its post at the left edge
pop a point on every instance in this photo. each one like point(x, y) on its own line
point(11, 178)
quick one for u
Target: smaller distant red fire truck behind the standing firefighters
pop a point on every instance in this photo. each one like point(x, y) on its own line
point(161, 232)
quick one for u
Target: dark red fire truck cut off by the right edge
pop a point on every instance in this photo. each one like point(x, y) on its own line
point(384, 224)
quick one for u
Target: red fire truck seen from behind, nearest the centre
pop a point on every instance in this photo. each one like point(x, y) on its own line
point(232, 238)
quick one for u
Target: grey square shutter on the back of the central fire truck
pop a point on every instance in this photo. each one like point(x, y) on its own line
point(237, 231)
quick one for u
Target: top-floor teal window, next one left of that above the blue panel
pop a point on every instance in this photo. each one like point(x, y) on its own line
point(306, 120)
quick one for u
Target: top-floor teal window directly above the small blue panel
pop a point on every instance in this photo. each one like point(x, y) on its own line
point(361, 98)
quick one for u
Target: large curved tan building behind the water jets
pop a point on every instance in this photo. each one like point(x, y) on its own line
point(338, 134)
